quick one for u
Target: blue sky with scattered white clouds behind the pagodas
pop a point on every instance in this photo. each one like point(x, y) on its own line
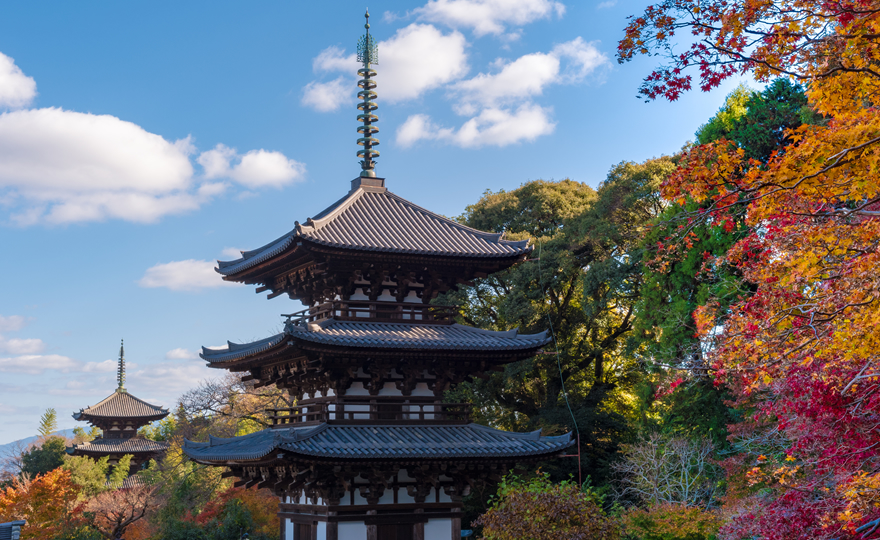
point(139, 142)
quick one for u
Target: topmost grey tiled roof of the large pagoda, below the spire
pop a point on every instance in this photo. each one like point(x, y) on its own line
point(371, 218)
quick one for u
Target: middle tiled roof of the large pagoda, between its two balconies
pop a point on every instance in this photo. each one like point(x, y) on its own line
point(385, 335)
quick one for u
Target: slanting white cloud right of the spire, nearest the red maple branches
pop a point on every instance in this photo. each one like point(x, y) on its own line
point(528, 75)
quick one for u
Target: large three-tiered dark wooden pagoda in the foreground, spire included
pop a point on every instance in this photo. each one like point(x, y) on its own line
point(371, 451)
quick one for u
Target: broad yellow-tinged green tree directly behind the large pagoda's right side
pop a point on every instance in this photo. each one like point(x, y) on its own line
point(583, 286)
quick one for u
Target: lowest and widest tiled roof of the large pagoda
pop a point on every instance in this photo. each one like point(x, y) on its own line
point(380, 442)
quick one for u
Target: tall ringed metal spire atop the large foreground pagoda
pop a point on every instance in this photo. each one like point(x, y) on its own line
point(368, 53)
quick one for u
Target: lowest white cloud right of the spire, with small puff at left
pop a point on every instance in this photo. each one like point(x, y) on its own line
point(492, 127)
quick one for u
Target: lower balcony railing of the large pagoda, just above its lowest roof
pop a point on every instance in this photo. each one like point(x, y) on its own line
point(380, 410)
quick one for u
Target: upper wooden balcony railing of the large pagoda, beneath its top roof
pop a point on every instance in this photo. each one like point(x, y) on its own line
point(363, 310)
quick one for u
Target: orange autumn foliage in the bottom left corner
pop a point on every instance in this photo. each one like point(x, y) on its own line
point(48, 503)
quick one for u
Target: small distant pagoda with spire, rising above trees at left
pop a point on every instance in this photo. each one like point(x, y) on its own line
point(119, 417)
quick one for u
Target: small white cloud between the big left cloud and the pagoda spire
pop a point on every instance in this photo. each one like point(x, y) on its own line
point(257, 168)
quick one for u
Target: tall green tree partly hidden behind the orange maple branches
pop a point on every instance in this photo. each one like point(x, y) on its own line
point(681, 272)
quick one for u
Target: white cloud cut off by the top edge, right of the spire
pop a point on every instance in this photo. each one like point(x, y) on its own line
point(488, 16)
